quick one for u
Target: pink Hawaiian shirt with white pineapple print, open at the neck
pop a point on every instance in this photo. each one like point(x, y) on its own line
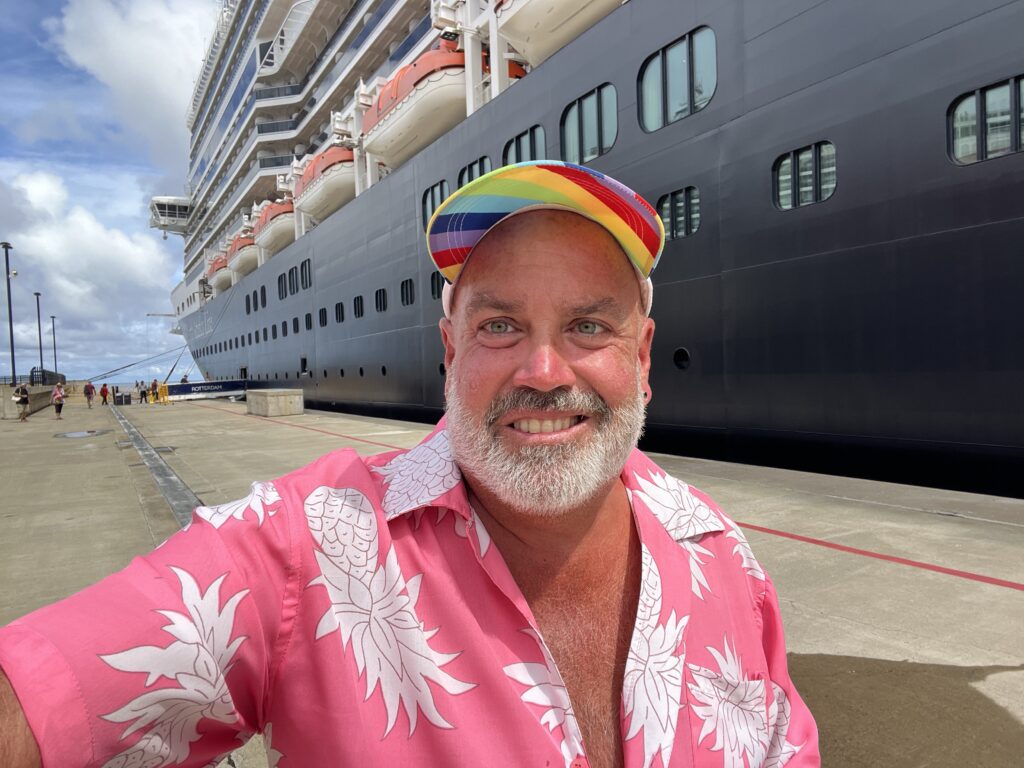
point(357, 614)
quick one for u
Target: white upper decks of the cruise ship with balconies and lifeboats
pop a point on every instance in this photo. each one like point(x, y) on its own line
point(304, 105)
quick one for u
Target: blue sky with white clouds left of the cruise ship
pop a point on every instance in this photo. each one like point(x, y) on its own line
point(94, 96)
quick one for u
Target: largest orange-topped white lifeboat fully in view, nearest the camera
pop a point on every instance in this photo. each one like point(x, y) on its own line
point(420, 103)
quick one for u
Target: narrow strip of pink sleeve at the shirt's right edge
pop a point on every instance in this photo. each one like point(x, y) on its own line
point(794, 736)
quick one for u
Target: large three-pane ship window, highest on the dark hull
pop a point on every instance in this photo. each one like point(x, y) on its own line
point(678, 80)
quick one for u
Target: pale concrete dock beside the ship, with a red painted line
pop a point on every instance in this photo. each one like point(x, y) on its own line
point(904, 607)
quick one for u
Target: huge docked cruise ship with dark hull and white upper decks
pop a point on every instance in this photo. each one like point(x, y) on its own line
point(841, 184)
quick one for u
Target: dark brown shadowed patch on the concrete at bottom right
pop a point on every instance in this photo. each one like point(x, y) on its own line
point(873, 712)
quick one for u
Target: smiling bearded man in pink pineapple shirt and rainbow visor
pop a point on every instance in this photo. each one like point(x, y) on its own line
point(524, 588)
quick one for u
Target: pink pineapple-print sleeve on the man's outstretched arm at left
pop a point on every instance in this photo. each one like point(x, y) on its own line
point(170, 659)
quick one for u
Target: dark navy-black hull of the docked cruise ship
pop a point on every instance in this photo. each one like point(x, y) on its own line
point(887, 316)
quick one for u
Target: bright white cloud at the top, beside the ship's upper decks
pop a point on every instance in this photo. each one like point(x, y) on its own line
point(148, 54)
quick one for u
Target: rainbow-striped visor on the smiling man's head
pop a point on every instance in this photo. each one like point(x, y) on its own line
point(473, 211)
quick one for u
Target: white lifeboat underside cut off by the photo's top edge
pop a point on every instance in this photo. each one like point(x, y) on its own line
point(539, 28)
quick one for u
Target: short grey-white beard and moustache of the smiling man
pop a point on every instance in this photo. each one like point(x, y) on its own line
point(544, 481)
